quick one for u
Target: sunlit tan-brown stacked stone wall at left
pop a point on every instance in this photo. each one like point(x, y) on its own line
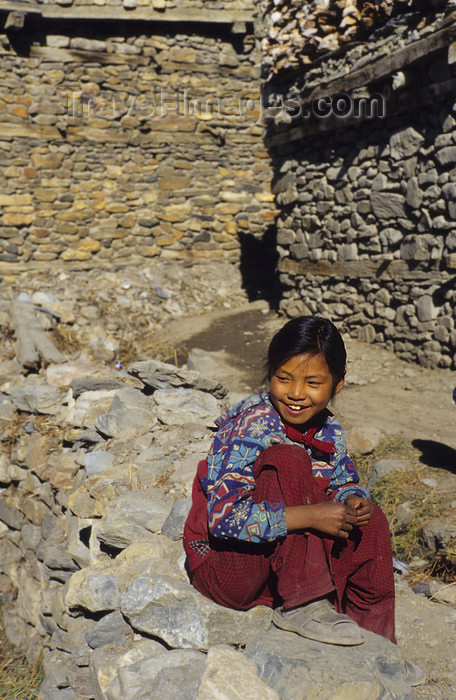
point(130, 139)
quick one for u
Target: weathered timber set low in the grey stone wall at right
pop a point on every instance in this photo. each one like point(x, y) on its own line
point(359, 269)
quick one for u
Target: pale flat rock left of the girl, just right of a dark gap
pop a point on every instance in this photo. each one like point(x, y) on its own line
point(134, 515)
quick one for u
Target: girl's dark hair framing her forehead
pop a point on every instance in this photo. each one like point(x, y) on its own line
point(309, 335)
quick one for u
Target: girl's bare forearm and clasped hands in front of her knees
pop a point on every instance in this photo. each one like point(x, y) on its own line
point(329, 518)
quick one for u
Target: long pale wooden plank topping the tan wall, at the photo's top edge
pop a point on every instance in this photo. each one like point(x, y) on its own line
point(149, 14)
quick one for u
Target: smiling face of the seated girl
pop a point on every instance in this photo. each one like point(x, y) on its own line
point(302, 387)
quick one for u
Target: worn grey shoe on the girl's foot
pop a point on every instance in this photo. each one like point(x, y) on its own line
point(319, 621)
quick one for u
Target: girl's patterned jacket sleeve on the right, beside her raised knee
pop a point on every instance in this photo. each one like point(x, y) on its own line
point(344, 480)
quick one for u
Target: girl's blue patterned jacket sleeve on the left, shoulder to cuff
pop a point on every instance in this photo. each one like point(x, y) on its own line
point(230, 485)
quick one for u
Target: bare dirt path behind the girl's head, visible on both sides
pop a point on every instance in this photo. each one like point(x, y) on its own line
point(382, 391)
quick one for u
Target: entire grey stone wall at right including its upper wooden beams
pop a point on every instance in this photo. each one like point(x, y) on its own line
point(367, 230)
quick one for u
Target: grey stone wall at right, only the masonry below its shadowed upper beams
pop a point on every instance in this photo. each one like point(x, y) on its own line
point(372, 211)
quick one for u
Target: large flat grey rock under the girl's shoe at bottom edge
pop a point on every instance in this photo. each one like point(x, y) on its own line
point(299, 669)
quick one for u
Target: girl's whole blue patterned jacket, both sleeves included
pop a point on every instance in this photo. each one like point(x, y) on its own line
point(244, 432)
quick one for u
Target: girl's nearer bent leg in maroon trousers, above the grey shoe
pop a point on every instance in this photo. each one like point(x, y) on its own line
point(293, 571)
